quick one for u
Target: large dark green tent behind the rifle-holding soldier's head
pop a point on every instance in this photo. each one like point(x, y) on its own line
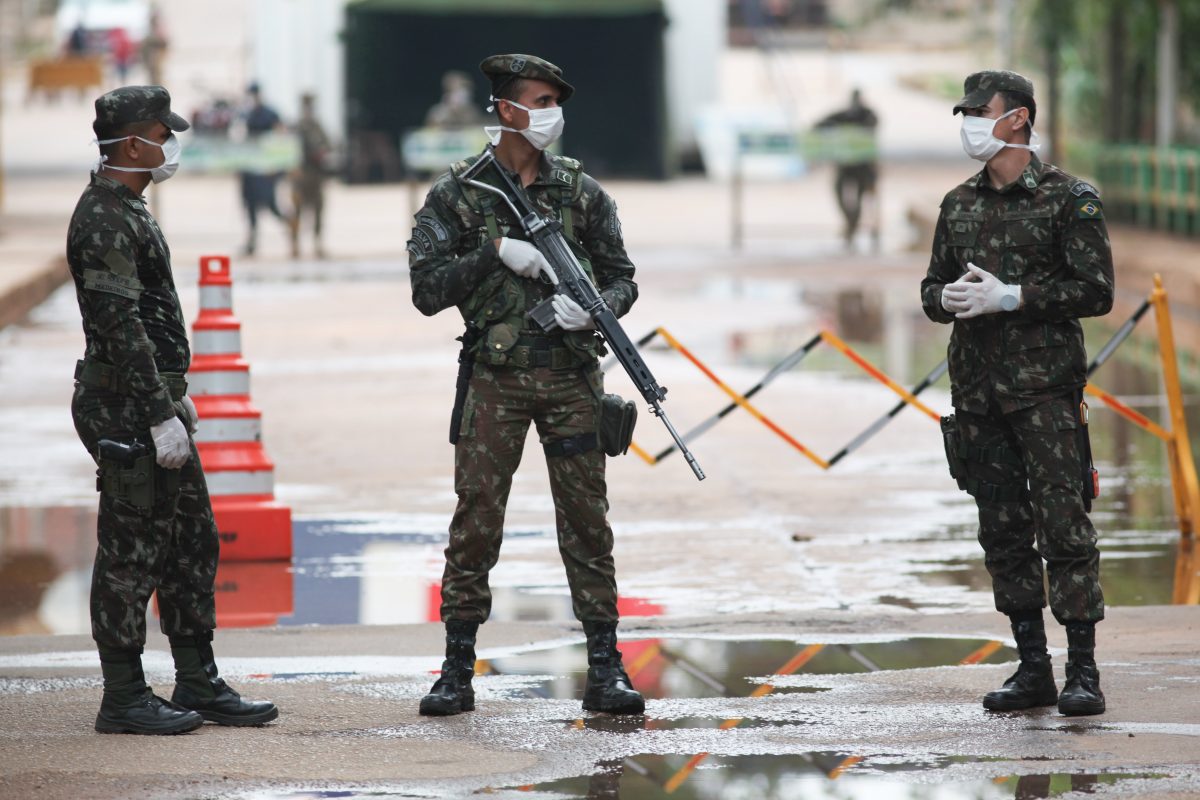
point(398, 51)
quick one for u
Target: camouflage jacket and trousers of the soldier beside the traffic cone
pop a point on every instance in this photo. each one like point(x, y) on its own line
point(131, 380)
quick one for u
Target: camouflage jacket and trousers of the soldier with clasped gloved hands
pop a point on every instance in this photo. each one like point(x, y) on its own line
point(1017, 377)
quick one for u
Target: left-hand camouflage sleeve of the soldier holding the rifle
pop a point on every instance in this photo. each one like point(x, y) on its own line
point(443, 268)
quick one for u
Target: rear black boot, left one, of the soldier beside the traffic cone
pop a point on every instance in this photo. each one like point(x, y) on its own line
point(131, 707)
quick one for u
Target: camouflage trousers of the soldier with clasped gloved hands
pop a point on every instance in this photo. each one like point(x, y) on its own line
point(1049, 524)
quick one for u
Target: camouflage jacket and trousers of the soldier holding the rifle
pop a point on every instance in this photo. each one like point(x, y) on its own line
point(523, 375)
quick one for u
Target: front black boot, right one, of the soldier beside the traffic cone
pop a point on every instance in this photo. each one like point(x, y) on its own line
point(200, 688)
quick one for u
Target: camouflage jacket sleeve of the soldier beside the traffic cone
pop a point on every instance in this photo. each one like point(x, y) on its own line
point(109, 288)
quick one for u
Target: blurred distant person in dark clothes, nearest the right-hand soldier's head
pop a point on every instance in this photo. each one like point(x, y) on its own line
point(857, 172)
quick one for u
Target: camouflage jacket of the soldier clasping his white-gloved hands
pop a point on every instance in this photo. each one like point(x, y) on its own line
point(1047, 233)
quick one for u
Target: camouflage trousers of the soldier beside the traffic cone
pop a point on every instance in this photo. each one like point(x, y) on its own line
point(170, 549)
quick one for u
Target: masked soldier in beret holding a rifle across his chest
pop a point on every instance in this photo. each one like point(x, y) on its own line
point(469, 251)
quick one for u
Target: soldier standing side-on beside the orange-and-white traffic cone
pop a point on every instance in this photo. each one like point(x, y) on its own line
point(155, 530)
